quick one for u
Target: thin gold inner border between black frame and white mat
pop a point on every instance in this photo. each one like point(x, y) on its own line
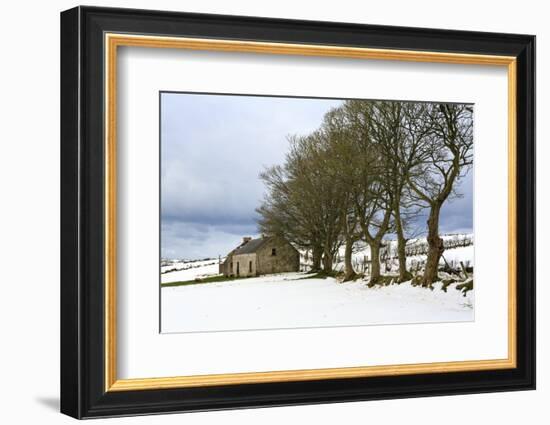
point(113, 41)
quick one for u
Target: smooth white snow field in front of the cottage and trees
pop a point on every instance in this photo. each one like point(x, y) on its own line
point(288, 301)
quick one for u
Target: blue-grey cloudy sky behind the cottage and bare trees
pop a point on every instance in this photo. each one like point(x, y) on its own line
point(213, 148)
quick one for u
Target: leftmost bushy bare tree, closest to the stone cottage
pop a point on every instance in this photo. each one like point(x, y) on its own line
point(303, 201)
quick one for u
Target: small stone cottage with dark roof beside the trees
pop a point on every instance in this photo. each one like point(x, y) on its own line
point(265, 255)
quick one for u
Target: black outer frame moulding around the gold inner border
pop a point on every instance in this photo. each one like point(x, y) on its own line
point(83, 392)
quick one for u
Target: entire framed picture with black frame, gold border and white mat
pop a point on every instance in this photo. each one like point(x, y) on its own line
point(261, 212)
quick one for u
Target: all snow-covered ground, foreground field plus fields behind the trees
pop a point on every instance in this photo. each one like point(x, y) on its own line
point(293, 300)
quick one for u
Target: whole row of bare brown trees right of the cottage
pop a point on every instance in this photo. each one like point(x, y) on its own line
point(368, 170)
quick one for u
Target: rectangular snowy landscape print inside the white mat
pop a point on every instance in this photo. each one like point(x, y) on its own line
point(290, 212)
